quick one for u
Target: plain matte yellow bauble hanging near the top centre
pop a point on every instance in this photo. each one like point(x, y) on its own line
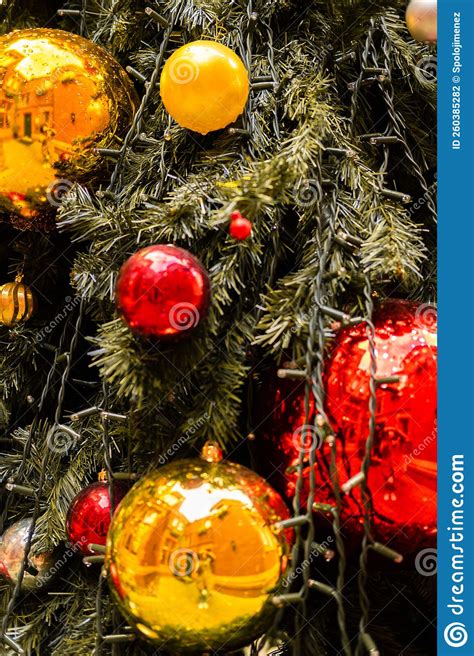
point(204, 86)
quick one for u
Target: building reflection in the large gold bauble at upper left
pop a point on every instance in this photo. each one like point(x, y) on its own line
point(47, 109)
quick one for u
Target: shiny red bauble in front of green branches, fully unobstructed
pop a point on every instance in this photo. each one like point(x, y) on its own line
point(162, 292)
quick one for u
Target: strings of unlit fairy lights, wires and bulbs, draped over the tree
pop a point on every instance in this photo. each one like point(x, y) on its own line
point(294, 599)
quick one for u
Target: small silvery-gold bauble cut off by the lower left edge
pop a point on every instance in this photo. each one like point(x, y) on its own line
point(39, 570)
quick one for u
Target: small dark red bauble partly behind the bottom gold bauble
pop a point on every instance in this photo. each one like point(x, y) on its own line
point(88, 518)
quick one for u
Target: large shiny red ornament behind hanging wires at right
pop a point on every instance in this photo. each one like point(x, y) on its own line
point(403, 471)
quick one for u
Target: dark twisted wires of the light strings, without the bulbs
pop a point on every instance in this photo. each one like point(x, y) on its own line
point(314, 362)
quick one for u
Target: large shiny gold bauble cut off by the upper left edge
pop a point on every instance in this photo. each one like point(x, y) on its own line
point(61, 96)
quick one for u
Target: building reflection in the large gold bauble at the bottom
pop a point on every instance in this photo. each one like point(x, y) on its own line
point(236, 567)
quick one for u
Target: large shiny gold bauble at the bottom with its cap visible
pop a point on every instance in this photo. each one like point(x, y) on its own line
point(194, 556)
